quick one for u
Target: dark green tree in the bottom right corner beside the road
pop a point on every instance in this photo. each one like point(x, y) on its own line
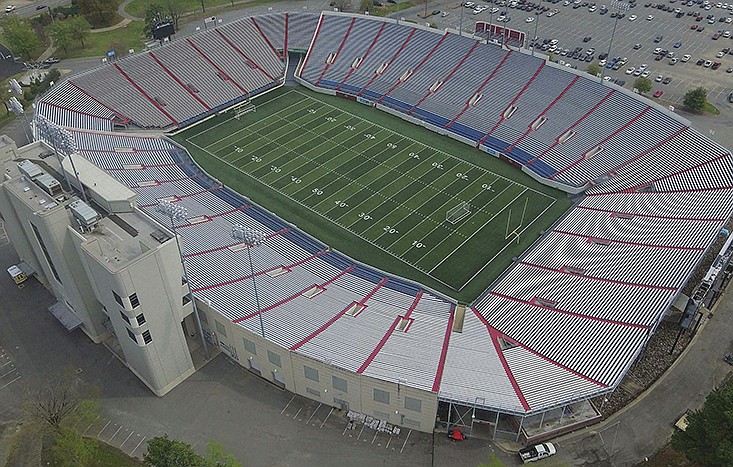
point(708, 439)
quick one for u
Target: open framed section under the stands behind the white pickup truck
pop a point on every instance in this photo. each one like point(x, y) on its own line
point(477, 422)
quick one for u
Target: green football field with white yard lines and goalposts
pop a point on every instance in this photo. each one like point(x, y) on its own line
point(385, 192)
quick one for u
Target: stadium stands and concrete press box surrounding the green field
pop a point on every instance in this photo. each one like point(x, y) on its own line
point(562, 325)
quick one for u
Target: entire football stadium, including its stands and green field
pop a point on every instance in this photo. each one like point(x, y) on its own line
point(412, 224)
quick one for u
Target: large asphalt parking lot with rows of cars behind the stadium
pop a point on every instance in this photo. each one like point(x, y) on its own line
point(574, 22)
